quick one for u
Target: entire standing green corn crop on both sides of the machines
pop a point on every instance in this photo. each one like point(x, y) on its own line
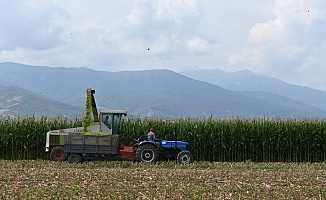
point(237, 140)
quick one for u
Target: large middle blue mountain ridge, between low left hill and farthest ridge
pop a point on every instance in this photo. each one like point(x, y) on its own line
point(151, 93)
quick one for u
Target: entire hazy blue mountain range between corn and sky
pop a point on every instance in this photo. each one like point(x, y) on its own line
point(50, 91)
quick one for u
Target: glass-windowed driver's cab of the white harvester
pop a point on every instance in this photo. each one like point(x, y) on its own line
point(110, 120)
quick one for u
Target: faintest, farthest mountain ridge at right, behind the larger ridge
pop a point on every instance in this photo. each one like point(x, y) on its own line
point(245, 80)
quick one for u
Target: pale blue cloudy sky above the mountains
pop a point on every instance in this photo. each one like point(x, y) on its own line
point(284, 39)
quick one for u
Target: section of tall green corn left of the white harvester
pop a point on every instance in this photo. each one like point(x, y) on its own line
point(22, 139)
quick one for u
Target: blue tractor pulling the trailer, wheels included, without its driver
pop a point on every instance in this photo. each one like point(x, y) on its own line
point(150, 151)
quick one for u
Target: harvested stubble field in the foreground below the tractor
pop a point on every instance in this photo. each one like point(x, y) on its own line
point(165, 180)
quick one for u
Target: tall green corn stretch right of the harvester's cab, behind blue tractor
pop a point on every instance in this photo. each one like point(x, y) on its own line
point(258, 140)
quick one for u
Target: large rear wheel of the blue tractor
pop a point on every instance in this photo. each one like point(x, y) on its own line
point(147, 153)
